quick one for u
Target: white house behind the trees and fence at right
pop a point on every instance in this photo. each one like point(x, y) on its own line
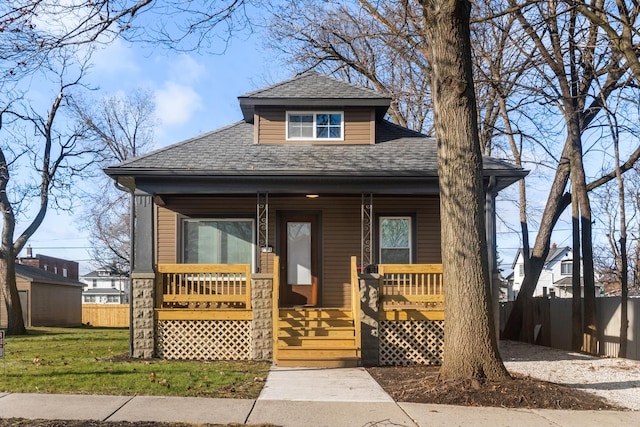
point(555, 279)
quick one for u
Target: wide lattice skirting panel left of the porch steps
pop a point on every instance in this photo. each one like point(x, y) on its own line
point(204, 339)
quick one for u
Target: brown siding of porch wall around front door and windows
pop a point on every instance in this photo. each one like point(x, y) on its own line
point(340, 229)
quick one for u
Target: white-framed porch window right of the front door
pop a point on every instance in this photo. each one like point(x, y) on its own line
point(395, 240)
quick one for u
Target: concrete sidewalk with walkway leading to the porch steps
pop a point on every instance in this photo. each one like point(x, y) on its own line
point(298, 397)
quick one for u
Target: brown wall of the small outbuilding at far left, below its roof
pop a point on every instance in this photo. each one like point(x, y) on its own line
point(56, 305)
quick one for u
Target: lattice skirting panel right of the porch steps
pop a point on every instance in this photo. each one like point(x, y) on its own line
point(411, 342)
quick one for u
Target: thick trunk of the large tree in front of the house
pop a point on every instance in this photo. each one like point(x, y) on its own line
point(470, 342)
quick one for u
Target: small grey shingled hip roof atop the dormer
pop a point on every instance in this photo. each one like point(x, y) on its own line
point(312, 85)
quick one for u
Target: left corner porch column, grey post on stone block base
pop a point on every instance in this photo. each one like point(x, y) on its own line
point(143, 280)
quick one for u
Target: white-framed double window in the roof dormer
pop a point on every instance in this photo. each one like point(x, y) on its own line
point(325, 126)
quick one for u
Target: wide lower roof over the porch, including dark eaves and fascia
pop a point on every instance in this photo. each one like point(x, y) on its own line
point(227, 160)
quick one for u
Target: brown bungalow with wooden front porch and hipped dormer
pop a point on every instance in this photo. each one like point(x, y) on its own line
point(307, 233)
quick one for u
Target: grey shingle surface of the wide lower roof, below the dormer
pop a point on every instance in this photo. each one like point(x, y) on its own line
point(231, 150)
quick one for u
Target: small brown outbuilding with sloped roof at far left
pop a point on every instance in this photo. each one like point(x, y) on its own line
point(47, 299)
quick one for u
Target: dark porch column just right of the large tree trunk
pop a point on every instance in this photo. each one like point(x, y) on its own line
point(494, 272)
